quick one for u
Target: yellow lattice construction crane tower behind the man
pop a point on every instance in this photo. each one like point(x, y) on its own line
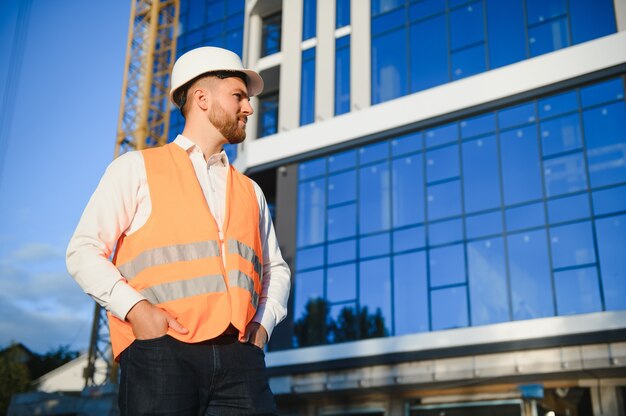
point(143, 122)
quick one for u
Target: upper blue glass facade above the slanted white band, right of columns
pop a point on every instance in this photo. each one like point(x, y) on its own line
point(421, 44)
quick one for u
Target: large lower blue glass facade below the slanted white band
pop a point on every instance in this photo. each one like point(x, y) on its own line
point(512, 214)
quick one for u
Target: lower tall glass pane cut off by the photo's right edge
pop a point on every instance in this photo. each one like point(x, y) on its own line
point(611, 234)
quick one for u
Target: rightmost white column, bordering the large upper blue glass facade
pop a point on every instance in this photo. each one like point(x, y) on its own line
point(360, 51)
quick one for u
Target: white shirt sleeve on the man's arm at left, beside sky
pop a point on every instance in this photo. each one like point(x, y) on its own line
point(107, 215)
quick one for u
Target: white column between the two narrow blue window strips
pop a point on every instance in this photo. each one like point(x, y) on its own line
point(325, 61)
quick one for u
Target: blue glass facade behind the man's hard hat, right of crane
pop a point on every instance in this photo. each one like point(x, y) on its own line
point(208, 23)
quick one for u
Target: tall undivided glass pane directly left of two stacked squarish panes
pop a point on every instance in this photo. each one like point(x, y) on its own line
point(521, 170)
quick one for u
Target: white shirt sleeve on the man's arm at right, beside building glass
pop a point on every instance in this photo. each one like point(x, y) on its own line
point(272, 308)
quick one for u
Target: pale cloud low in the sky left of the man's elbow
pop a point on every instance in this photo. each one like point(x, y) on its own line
point(40, 304)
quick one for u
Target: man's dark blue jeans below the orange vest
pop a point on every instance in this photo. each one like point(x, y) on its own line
point(164, 376)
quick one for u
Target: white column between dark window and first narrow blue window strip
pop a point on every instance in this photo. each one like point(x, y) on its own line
point(291, 67)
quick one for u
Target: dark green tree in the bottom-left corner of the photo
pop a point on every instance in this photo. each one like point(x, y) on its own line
point(14, 375)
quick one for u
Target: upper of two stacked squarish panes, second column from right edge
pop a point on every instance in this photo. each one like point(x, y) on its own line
point(561, 134)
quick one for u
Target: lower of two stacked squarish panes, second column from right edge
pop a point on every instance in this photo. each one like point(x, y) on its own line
point(565, 175)
